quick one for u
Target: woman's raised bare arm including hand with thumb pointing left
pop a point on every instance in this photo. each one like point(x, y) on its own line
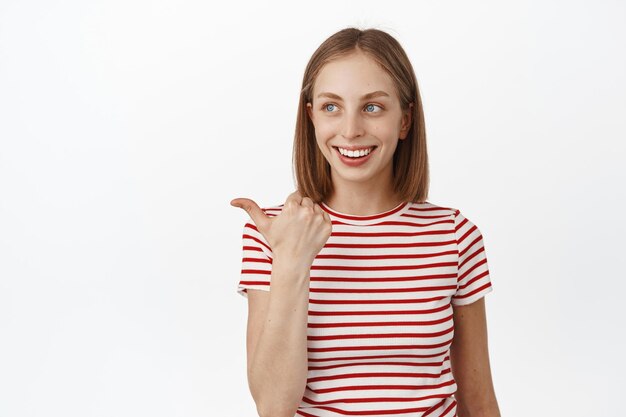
point(277, 321)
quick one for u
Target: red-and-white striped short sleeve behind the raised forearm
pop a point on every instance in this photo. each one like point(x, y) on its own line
point(256, 261)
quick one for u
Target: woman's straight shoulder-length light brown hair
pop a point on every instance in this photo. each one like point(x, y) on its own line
point(410, 159)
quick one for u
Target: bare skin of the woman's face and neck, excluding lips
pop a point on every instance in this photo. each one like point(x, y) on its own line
point(352, 120)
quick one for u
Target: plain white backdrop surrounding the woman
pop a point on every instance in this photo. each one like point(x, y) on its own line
point(126, 128)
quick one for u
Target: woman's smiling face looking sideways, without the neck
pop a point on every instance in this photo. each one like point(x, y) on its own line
point(355, 106)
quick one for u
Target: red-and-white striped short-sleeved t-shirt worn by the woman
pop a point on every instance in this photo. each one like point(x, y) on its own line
point(380, 321)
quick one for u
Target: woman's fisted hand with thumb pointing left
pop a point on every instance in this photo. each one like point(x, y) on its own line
point(298, 233)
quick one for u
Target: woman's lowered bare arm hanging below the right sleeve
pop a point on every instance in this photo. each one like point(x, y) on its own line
point(469, 357)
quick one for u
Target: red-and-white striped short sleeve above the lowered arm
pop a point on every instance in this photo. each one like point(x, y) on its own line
point(473, 280)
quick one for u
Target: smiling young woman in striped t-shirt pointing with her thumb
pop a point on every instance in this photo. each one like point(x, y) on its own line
point(363, 297)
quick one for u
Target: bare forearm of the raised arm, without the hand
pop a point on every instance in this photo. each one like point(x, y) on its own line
point(277, 341)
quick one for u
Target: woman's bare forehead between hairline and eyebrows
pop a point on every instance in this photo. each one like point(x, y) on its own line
point(353, 75)
